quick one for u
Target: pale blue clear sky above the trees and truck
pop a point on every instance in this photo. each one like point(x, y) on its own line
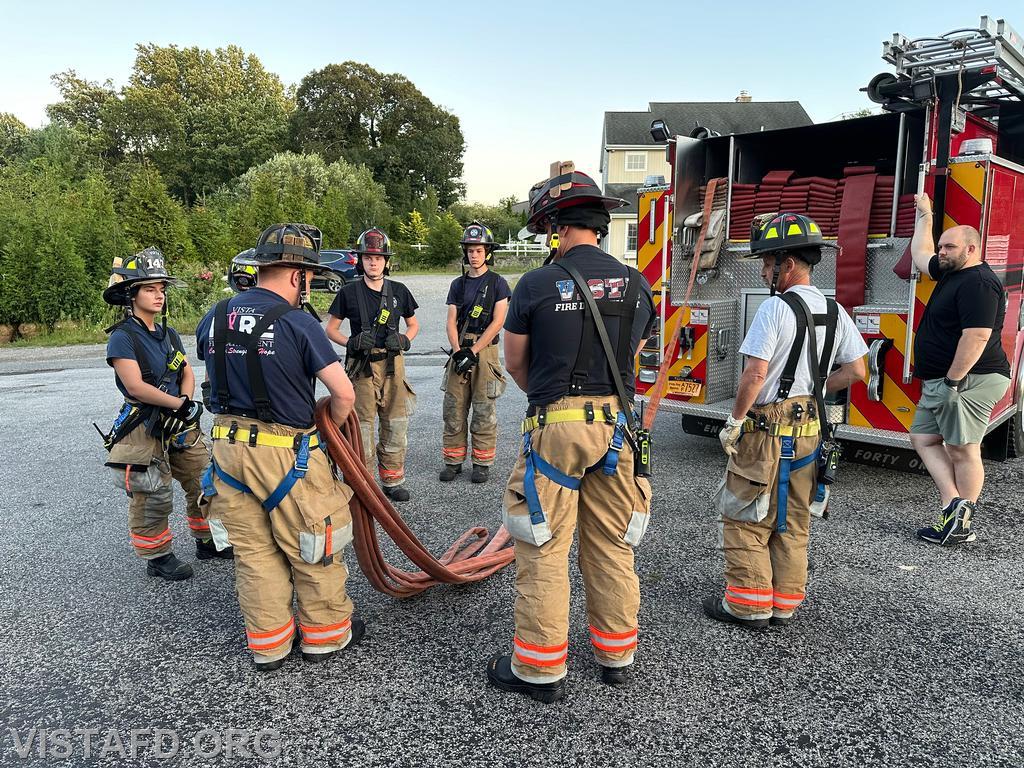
point(530, 81)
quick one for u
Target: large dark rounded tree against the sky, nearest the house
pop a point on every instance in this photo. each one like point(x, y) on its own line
point(383, 122)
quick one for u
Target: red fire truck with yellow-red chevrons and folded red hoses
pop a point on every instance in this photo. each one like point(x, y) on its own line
point(952, 125)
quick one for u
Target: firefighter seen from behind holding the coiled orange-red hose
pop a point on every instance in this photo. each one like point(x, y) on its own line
point(272, 491)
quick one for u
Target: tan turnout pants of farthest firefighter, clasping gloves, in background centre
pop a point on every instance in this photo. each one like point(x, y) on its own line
point(479, 392)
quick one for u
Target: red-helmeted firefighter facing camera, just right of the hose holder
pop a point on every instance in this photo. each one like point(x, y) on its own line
point(374, 358)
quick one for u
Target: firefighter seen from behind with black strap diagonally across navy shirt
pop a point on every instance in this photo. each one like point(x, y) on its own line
point(577, 465)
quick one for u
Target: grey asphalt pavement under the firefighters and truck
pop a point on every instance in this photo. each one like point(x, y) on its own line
point(905, 655)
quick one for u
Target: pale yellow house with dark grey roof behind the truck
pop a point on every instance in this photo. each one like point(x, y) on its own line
point(629, 155)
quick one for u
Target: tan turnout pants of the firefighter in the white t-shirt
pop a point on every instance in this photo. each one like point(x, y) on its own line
point(766, 569)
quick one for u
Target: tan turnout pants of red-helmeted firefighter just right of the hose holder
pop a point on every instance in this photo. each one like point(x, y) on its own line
point(392, 401)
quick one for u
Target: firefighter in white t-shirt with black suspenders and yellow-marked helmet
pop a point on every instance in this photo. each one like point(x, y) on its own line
point(773, 437)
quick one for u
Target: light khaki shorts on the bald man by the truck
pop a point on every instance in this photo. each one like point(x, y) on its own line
point(961, 417)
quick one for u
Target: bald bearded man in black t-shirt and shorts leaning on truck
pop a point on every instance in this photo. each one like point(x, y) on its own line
point(964, 370)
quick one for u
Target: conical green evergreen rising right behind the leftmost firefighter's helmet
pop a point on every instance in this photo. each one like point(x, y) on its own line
point(151, 218)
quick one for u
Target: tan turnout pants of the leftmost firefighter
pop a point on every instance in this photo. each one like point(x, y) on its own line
point(151, 497)
